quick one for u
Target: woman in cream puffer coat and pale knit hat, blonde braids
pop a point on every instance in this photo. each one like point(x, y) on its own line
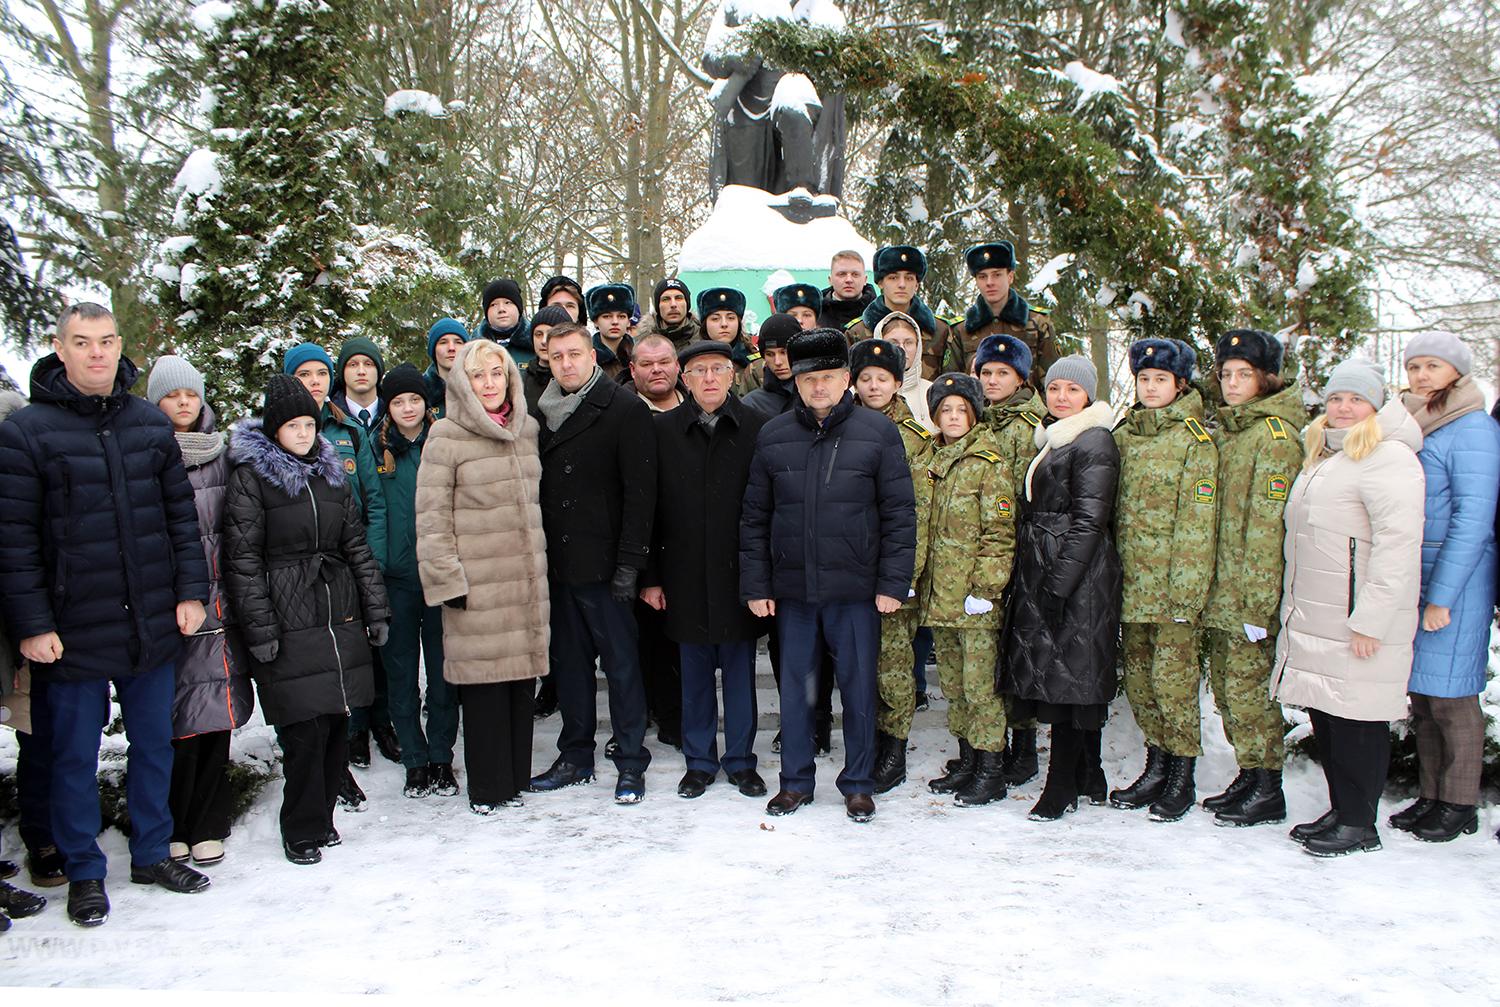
point(1349, 604)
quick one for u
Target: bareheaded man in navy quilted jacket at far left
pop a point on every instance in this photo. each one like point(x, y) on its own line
point(103, 576)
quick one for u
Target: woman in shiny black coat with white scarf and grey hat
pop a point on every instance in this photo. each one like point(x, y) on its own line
point(1064, 601)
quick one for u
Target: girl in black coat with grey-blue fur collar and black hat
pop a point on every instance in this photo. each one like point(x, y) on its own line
point(307, 592)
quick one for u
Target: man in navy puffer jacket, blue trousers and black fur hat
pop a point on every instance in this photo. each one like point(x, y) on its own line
point(829, 543)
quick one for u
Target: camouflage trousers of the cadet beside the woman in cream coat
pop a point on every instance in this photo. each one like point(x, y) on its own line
point(1240, 673)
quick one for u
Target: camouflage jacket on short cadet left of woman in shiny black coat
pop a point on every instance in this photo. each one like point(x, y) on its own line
point(971, 532)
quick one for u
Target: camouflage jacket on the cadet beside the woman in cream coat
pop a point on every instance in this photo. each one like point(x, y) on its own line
point(1261, 455)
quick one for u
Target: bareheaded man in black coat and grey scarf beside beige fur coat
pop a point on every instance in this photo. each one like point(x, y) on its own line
point(599, 485)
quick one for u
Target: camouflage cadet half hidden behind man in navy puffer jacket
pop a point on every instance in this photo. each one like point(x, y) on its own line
point(877, 368)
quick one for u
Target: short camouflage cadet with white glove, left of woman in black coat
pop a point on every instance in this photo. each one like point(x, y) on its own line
point(971, 546)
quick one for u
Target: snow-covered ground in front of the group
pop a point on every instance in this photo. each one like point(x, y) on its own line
point(712, 900)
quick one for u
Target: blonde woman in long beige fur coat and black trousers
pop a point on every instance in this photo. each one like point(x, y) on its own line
point(482, 556)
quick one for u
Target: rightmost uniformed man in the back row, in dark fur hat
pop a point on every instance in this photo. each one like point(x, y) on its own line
point(998, 311)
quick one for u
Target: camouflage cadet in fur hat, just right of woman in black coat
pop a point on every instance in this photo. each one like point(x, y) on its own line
point(1166, 519)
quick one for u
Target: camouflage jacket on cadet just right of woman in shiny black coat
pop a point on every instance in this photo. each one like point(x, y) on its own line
point(1166, 514)
